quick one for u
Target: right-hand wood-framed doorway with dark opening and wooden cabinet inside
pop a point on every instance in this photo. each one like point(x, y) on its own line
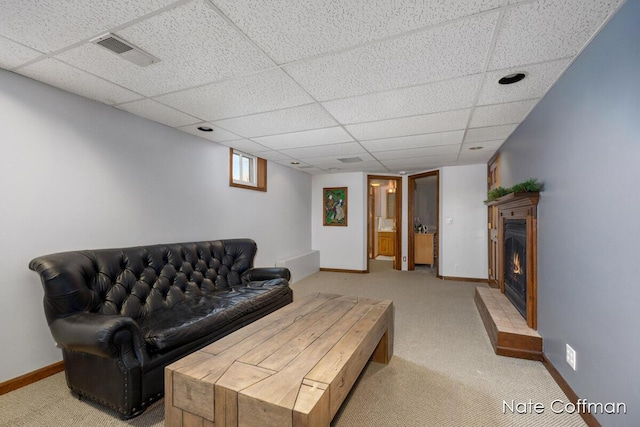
point(424, 218)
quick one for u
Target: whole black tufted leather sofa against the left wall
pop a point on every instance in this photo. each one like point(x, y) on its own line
point(121, 315)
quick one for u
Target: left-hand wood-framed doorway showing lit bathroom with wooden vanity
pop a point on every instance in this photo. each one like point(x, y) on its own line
point(384, 222)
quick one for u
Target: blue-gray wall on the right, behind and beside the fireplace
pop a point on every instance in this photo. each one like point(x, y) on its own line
point(583, 142)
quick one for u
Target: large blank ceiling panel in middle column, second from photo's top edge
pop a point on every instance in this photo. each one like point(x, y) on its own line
point(399, 62)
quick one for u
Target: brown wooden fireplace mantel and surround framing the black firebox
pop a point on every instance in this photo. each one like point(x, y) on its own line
point(521, 206)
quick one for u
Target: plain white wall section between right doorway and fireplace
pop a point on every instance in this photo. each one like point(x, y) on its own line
point(463, 242)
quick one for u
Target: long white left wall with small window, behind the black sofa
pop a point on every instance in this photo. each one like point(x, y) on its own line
point(76, 174)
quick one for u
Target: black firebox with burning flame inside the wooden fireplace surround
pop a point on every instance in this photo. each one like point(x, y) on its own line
point(515, 263)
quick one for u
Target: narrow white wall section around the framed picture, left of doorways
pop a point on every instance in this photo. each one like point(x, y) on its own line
point(341, 247)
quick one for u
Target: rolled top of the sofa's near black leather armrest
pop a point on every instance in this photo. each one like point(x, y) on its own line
point(109, 336)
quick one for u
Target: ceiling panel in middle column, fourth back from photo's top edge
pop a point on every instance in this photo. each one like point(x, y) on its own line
point(427, 123)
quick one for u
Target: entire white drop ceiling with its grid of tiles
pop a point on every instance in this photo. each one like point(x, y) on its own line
point(400, 84)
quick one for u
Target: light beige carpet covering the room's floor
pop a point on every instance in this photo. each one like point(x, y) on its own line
point(443, 373)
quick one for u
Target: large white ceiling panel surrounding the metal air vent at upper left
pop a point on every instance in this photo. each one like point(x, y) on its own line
point(191, 34)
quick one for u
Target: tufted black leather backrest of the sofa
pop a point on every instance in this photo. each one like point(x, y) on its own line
point(136, 281)
